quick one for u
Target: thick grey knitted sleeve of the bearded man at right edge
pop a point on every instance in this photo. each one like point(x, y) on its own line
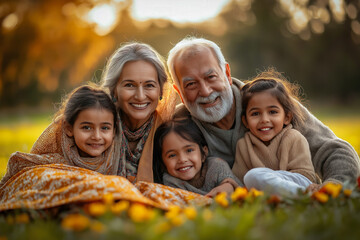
point(334, 159)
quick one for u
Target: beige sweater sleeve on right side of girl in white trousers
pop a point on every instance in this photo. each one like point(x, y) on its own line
point(299, 157)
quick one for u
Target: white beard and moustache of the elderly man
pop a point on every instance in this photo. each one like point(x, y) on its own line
point(212, 114)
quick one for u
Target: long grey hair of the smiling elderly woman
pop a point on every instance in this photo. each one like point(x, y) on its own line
point(132, 52)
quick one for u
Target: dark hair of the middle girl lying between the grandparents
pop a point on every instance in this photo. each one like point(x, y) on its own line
point(185, 128)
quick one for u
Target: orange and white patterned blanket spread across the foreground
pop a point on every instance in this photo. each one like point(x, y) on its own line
point(51, 185)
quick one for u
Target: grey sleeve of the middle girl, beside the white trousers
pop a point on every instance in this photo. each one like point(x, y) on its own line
point(220, 168)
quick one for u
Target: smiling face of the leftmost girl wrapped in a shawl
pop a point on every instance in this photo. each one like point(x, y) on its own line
point(93, 131)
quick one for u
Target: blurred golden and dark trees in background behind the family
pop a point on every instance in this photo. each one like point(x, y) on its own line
point(48, 47)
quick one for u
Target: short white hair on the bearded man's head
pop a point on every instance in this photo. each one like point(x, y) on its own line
point(191, 43)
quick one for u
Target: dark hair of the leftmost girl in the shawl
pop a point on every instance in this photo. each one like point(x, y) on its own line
point(85, 97)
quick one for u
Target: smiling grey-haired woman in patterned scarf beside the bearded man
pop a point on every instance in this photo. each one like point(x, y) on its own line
point(137, 80)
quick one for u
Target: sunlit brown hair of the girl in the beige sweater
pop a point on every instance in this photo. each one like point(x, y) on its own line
point(274, 82)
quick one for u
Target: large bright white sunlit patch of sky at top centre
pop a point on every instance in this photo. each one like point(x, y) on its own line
point(177, 10)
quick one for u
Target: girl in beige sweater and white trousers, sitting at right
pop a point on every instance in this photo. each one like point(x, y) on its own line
point(273, 156)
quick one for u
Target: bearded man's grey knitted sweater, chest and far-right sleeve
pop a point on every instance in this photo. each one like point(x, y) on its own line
point(333, 158)
